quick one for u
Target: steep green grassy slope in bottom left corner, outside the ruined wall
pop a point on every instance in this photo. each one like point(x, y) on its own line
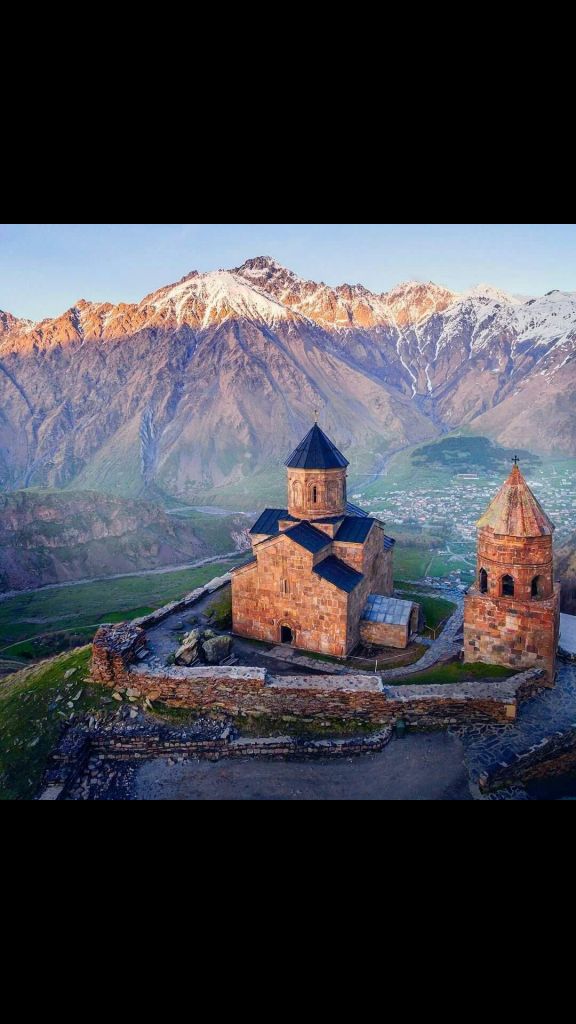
point(34, 705)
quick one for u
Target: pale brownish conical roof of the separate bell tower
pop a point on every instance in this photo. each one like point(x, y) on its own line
point(516, 513)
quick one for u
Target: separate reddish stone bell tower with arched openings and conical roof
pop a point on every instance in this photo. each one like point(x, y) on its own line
point(519, 630)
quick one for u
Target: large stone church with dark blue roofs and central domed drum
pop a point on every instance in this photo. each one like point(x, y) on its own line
point(321, 573)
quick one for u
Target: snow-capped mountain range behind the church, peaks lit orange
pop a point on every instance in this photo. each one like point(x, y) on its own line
point(212, 379)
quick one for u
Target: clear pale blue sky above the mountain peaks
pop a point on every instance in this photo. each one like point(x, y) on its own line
point(46, 269)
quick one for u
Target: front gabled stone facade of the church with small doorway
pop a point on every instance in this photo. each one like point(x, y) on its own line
point(313, 609)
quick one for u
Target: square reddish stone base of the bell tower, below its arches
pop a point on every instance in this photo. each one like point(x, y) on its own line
point(517, 634)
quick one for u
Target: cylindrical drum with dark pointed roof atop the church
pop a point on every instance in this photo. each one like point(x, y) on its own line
point(317, 479)
